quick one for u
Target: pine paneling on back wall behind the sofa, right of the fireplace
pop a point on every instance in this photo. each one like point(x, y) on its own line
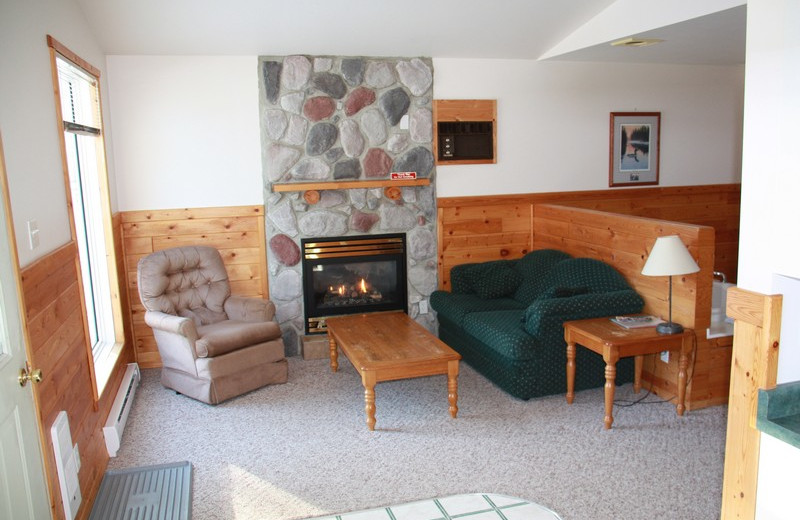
point(479, 228)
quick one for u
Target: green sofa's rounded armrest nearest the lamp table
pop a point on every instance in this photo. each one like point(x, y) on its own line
point(545, 314)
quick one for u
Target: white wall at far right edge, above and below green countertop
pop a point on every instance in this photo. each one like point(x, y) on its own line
point(769, 249)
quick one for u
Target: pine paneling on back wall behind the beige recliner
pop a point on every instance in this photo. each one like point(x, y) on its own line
point(237, 231)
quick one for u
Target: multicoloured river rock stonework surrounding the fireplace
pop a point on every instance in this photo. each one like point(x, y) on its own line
point(334, 119)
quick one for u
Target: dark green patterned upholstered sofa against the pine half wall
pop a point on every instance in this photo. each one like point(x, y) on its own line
point(506, 318)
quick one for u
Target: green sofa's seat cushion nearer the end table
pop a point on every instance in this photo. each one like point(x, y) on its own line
point(501, 332)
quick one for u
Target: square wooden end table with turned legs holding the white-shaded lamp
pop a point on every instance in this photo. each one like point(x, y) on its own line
point(613, 341)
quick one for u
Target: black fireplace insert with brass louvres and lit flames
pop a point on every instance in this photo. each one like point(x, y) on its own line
point(353, 274)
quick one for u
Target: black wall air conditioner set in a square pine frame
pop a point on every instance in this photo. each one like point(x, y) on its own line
point(465, 131)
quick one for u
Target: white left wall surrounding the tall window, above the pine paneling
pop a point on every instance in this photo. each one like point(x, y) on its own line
point(28, 115)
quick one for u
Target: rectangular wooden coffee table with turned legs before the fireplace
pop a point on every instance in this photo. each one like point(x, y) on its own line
point(387, 346)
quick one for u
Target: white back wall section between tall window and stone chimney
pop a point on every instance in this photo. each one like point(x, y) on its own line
point(186, 131)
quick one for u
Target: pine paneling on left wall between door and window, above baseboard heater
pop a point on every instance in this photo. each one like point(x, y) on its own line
point(58, 345)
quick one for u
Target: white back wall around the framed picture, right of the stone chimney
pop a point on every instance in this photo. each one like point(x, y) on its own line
point(553, 122)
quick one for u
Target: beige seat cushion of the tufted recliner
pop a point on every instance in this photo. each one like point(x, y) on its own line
point(225, 336)
